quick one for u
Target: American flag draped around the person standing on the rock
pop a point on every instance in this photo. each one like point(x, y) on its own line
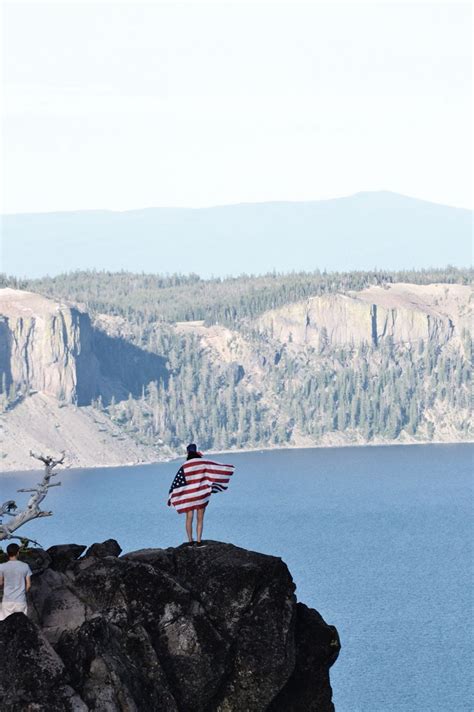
point(195, 481)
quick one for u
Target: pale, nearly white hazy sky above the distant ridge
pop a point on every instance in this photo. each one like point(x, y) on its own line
point(125, 105)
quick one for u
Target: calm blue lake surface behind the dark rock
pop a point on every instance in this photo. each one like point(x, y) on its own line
point(378, 539)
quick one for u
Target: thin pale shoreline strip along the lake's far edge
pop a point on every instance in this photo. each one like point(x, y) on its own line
point(245, 450)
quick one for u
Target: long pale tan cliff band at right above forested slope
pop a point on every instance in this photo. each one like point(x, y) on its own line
point(407, 313)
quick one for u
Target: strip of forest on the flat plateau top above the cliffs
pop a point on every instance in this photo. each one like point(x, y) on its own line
point(148, 298)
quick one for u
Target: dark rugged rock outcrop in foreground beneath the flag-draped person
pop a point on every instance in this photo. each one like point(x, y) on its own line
point(187, 629)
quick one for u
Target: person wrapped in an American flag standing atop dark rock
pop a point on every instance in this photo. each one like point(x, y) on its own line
point(191, 489)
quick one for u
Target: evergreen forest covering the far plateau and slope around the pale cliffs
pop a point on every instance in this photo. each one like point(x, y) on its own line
point(282, 395)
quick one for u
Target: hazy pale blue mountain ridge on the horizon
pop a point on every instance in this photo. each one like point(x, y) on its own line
point(359, 232)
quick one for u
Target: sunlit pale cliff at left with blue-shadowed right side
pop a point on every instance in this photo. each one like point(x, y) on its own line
point(52, 347)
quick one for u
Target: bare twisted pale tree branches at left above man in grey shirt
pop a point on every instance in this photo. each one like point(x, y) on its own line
point(32, 509)
